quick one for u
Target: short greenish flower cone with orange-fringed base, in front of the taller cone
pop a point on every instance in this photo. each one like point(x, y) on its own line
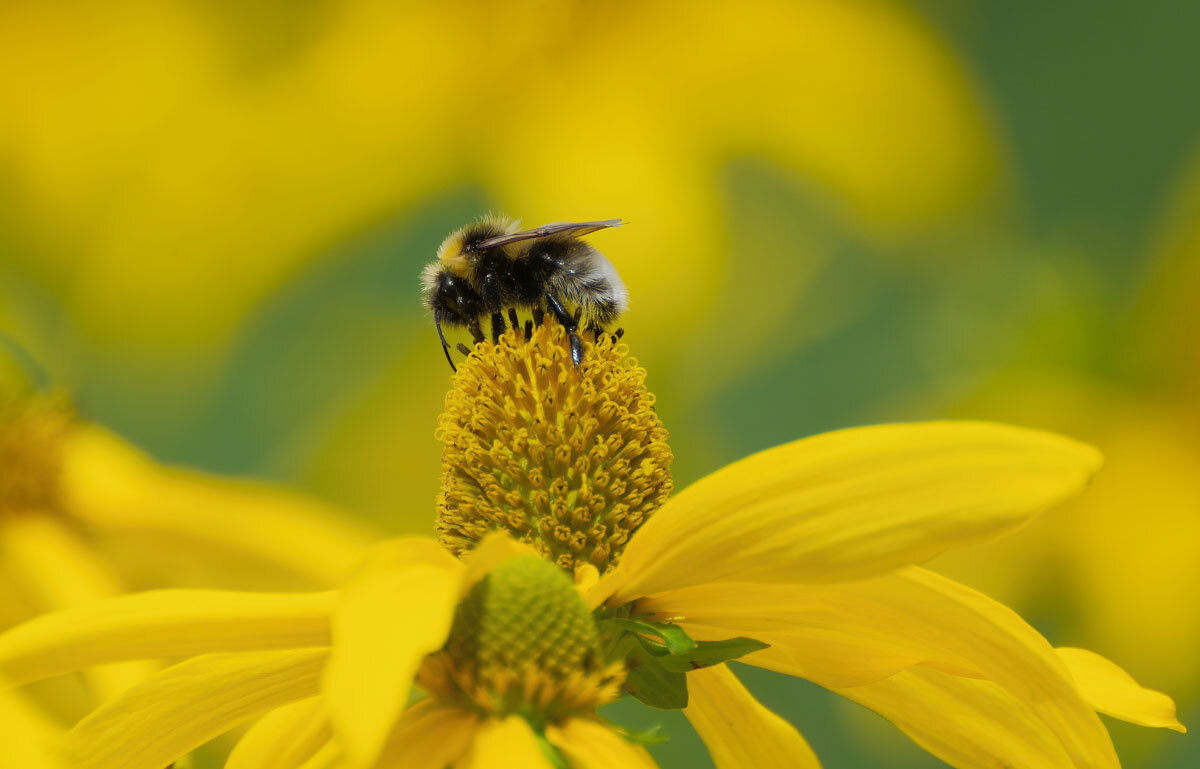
point(524, 642)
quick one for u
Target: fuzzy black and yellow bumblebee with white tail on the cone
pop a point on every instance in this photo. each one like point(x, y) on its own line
point(493, 267)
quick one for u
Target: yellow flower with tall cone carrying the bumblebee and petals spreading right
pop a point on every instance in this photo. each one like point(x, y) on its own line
point(808, 548)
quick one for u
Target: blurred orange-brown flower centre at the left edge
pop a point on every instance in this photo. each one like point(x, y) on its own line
point(32, 431)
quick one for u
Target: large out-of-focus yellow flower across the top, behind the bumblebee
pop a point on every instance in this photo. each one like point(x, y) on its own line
point(172, 163)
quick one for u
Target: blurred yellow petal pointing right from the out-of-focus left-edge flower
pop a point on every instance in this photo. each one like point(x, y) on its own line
point(113, 486)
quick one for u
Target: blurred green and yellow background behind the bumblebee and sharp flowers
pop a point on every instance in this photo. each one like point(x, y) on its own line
point(213, 217)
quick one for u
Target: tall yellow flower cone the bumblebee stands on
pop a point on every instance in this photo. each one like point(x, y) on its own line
point(569, 460)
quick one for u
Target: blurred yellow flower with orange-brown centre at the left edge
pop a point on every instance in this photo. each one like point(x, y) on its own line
point(71, 491)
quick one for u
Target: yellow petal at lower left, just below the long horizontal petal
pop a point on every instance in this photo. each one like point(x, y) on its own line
point(188, 705)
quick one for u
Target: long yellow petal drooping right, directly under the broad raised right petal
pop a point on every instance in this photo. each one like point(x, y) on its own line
point(833, 634)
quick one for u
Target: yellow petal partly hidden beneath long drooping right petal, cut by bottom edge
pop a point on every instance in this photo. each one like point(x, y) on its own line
point(969, 724)
